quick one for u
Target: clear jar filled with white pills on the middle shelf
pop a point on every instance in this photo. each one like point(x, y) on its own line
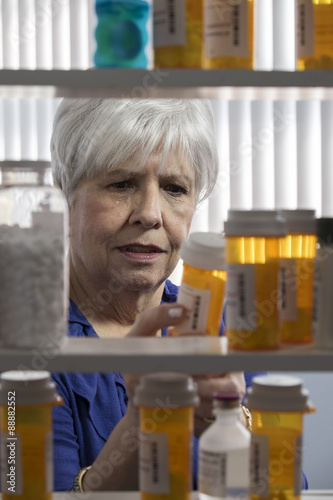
point(33, 271)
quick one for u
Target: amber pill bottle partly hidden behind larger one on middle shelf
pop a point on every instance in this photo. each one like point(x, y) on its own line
point(298, 250)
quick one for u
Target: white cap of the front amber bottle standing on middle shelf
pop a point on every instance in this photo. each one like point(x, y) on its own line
point(254, 223)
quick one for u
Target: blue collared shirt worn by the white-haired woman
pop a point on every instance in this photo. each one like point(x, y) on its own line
point(93, 405)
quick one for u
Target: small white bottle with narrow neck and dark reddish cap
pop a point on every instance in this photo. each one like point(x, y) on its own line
point(224, 452)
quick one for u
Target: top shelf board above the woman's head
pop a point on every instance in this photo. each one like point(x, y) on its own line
point(165, 82)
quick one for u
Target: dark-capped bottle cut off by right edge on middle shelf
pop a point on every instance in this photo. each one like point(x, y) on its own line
point(323, 316)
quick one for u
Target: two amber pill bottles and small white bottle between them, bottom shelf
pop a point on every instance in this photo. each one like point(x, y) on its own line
point(233, 462)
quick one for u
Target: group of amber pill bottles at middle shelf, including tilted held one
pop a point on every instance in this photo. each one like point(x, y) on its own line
point(268, 276)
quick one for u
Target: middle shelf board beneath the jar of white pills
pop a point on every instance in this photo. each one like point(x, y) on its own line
point(185, 354)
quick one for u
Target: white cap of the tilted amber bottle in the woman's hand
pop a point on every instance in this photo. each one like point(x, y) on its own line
point(205, 251)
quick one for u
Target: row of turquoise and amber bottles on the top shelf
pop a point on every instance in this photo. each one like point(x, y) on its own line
point(204, 33)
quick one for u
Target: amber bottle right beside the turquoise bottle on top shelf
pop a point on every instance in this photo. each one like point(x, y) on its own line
point(178, 33)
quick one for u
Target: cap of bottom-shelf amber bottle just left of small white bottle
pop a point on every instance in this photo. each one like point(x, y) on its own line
point(166, 390)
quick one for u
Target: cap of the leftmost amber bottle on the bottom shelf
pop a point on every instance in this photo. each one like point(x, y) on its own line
point(30, 387)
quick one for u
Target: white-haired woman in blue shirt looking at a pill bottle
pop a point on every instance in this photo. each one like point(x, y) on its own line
point(133, 172)
